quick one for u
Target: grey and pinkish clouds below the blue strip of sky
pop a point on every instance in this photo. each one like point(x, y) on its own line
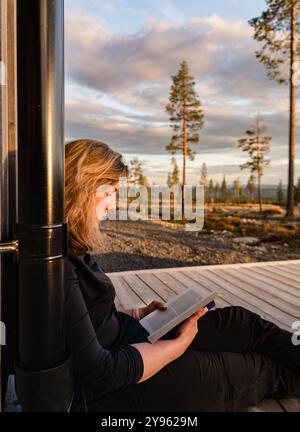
point(118, 84)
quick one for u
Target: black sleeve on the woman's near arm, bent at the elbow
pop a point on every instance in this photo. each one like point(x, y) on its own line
point(105, 370)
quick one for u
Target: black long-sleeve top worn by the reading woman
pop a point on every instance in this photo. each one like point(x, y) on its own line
point(93, 321)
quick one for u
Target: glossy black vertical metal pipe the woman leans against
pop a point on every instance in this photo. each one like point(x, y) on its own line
point(41, 227)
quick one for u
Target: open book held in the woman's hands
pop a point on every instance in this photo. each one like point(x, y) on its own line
point(180, 307)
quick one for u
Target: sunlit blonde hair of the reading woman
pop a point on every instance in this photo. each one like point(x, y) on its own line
point(88, 165)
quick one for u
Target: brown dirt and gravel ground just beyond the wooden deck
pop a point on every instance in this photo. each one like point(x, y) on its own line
point(129, 245)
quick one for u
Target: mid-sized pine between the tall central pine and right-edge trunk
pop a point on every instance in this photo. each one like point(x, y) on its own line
point(257, 145)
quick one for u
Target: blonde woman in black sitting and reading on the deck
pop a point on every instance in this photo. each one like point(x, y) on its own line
point(225, 361)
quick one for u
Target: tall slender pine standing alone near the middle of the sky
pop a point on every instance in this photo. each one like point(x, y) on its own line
point(186, 117)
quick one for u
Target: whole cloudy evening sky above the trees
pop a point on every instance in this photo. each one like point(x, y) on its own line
point(120, 56)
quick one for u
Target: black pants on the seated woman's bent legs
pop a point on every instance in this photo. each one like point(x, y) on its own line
point(236, 360)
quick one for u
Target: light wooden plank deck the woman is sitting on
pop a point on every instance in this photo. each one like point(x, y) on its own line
point(271, 289)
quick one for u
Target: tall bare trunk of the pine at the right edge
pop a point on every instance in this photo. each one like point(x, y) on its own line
point(290, 191)
